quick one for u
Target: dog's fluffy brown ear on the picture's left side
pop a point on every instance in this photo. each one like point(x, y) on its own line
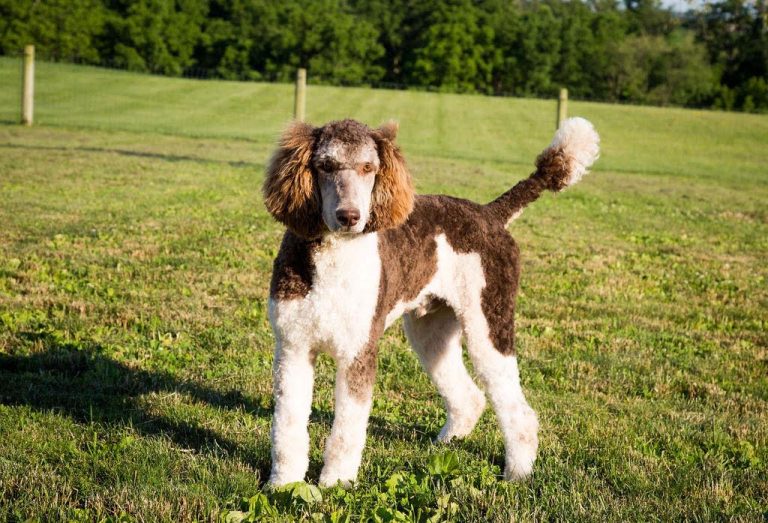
point(290, 188)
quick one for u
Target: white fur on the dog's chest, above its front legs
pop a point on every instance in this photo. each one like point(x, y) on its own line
point(337, 312)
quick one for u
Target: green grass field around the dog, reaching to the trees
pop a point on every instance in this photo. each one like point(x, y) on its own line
point(135, 352)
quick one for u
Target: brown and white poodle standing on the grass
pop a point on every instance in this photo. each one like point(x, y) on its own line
point(360, 251)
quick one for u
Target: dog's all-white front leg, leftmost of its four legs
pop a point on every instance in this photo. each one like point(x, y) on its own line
point(293, 372)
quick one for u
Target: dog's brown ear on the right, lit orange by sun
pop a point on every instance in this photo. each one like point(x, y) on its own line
point(392, 199)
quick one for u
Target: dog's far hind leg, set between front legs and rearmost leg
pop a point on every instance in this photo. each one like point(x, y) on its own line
point(436, 338)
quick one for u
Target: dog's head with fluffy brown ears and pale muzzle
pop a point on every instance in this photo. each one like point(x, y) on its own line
point(343, 177)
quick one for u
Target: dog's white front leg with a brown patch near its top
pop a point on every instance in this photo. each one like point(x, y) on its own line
point(354, 390)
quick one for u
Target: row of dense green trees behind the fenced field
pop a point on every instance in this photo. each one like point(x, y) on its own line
point(635, 51)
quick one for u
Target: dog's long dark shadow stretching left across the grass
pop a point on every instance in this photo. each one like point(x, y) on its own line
point(80, 381)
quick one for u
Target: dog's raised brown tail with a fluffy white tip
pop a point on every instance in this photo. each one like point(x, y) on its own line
point(573, 150)
